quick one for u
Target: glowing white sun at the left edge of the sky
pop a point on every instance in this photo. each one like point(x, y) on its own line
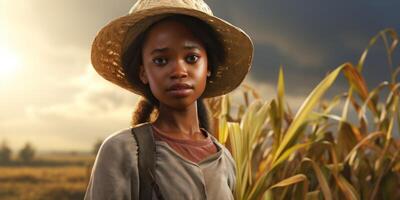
point(9, 63)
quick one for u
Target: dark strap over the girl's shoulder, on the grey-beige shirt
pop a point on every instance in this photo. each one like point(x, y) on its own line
point(146, 161)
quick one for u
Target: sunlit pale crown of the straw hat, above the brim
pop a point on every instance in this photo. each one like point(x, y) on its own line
point(199, 5)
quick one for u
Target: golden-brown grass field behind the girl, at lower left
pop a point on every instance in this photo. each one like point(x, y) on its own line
point(43, 182)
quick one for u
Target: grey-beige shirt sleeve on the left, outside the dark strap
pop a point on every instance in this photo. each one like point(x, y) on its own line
point(114, 173)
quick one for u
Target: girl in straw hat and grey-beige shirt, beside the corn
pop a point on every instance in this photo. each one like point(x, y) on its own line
point(173, 53)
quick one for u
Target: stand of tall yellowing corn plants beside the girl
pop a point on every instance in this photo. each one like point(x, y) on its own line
point(315, 153)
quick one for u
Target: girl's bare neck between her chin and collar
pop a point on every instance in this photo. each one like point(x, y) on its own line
point(175, 121)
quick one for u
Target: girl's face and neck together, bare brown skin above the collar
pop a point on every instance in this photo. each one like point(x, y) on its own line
point(175, 67)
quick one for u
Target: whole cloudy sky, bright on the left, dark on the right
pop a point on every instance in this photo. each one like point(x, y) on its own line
point(52, 97)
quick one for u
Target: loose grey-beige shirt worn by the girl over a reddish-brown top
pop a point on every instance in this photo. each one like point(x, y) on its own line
point(115, 172)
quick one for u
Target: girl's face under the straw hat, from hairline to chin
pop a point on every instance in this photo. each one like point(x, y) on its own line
point(174, 64)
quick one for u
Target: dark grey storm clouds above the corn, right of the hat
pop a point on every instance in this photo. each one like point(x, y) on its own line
point(311, 38)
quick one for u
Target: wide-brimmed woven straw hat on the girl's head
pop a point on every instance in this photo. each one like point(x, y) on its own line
point(114, 39)
